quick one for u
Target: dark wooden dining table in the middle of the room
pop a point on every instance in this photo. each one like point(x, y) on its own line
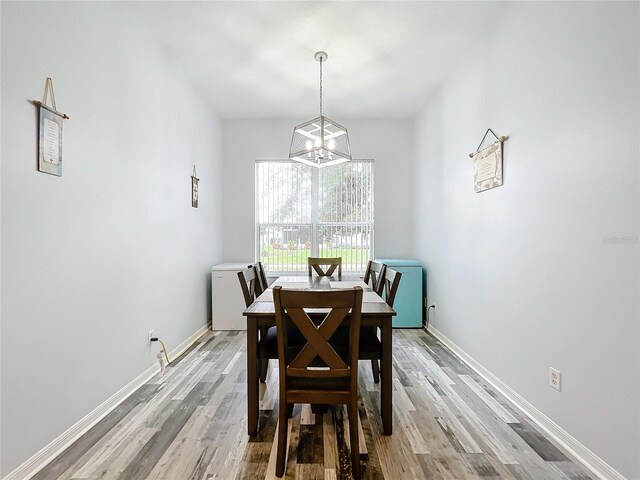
point(375, 312)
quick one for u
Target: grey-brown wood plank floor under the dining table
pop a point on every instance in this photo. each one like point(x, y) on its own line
point(190, 424)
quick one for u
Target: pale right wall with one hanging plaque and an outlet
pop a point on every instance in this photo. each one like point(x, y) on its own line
point(544, 271)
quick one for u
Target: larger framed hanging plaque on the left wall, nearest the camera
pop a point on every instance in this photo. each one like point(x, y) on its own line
point(49, 133)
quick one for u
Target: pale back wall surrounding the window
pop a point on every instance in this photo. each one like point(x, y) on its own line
point(388, 142)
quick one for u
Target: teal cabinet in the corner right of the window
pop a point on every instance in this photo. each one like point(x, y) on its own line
point(408, 302)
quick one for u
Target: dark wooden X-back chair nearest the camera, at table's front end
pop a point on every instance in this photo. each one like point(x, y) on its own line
point(313, 371)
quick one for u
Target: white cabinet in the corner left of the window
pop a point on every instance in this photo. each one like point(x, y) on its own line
point(226, 297)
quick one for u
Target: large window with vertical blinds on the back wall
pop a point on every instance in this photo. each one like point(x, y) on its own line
point(303, 211)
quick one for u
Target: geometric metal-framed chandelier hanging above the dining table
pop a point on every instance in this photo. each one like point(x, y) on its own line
point(320, 142)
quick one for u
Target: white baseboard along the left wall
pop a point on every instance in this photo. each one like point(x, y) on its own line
point(38, 461)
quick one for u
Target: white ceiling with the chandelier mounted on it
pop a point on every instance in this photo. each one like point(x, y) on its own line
point(255, 59)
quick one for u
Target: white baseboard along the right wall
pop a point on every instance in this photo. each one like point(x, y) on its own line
point(581, 453)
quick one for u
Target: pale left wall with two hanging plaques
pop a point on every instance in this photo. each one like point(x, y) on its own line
point(113, 248)
